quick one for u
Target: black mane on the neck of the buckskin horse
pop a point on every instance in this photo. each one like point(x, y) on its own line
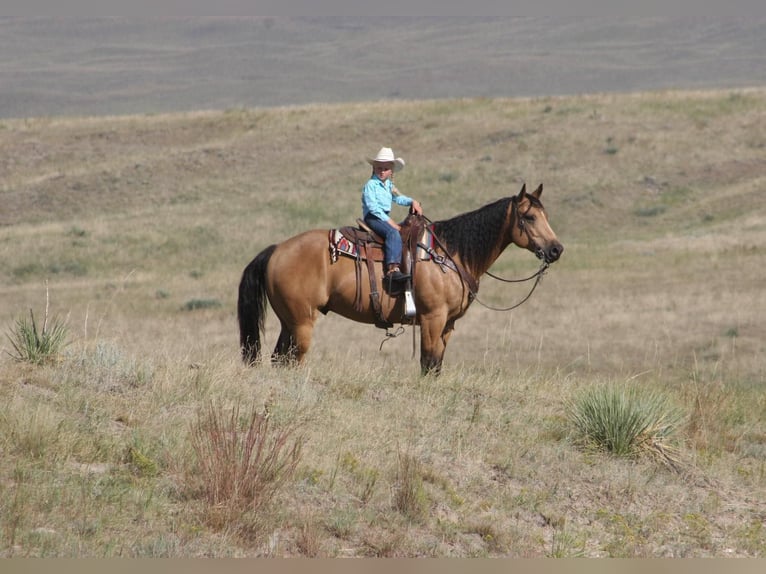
point(474, 235)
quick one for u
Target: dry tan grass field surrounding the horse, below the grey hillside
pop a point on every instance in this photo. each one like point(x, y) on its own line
point(134, 231)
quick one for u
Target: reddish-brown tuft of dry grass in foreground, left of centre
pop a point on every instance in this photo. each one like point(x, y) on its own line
point(241, 461)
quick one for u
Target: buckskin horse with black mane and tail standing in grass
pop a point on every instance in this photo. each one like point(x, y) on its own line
point(301, 281)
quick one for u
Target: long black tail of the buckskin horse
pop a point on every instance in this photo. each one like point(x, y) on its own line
point(251, 306)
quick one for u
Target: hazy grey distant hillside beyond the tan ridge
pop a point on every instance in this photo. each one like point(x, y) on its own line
point(84, 67)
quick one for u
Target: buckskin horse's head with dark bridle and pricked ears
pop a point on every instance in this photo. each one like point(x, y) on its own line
point(531, 229)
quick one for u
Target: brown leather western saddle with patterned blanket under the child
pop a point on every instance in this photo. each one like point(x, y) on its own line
point(363, 244)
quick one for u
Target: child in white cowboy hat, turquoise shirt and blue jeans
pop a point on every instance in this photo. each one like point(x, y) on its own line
point(377, 195)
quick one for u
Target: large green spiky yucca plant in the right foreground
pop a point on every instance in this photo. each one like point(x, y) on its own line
point(626, 421)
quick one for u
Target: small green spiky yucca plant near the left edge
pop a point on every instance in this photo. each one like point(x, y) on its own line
point(37, 346)
